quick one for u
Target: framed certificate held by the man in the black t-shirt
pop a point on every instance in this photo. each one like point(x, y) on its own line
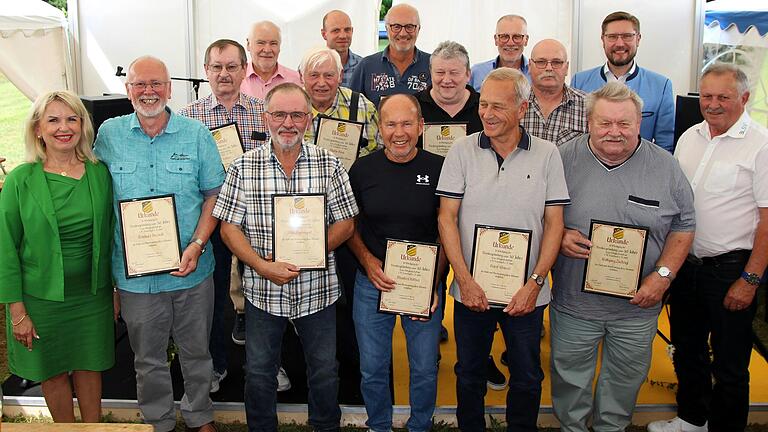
point(413, 267)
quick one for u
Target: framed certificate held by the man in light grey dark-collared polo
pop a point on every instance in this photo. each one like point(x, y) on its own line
point(500, 259)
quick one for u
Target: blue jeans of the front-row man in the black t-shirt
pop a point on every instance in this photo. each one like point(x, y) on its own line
point(374, 337)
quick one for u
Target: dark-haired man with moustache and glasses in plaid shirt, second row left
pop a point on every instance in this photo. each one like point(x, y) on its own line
point(225, 63)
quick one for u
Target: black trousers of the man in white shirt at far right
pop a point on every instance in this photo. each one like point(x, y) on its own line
point(697, 315)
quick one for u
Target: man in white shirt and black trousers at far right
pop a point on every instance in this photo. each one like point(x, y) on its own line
point(713, 299)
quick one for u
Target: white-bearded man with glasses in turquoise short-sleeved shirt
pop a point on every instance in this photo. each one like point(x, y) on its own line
point(154, 152)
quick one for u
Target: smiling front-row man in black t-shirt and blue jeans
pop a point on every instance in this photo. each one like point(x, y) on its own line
point(395, 192)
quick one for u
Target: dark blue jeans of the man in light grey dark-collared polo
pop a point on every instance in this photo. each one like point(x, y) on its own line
point(474, 337)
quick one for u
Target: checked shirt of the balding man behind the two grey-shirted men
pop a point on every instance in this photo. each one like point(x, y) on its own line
point(567, 121)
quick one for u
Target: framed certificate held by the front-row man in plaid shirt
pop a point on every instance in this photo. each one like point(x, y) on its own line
point(299, 230)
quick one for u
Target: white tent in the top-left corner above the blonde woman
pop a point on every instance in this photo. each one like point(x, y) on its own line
point(34, 50)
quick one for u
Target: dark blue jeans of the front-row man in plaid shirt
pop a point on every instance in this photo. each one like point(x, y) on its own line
point(317, 333)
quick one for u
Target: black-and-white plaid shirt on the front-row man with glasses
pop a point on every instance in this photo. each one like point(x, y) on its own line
point(246, 200)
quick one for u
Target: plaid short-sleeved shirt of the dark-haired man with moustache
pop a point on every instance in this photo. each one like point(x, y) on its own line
point(248, 113)
